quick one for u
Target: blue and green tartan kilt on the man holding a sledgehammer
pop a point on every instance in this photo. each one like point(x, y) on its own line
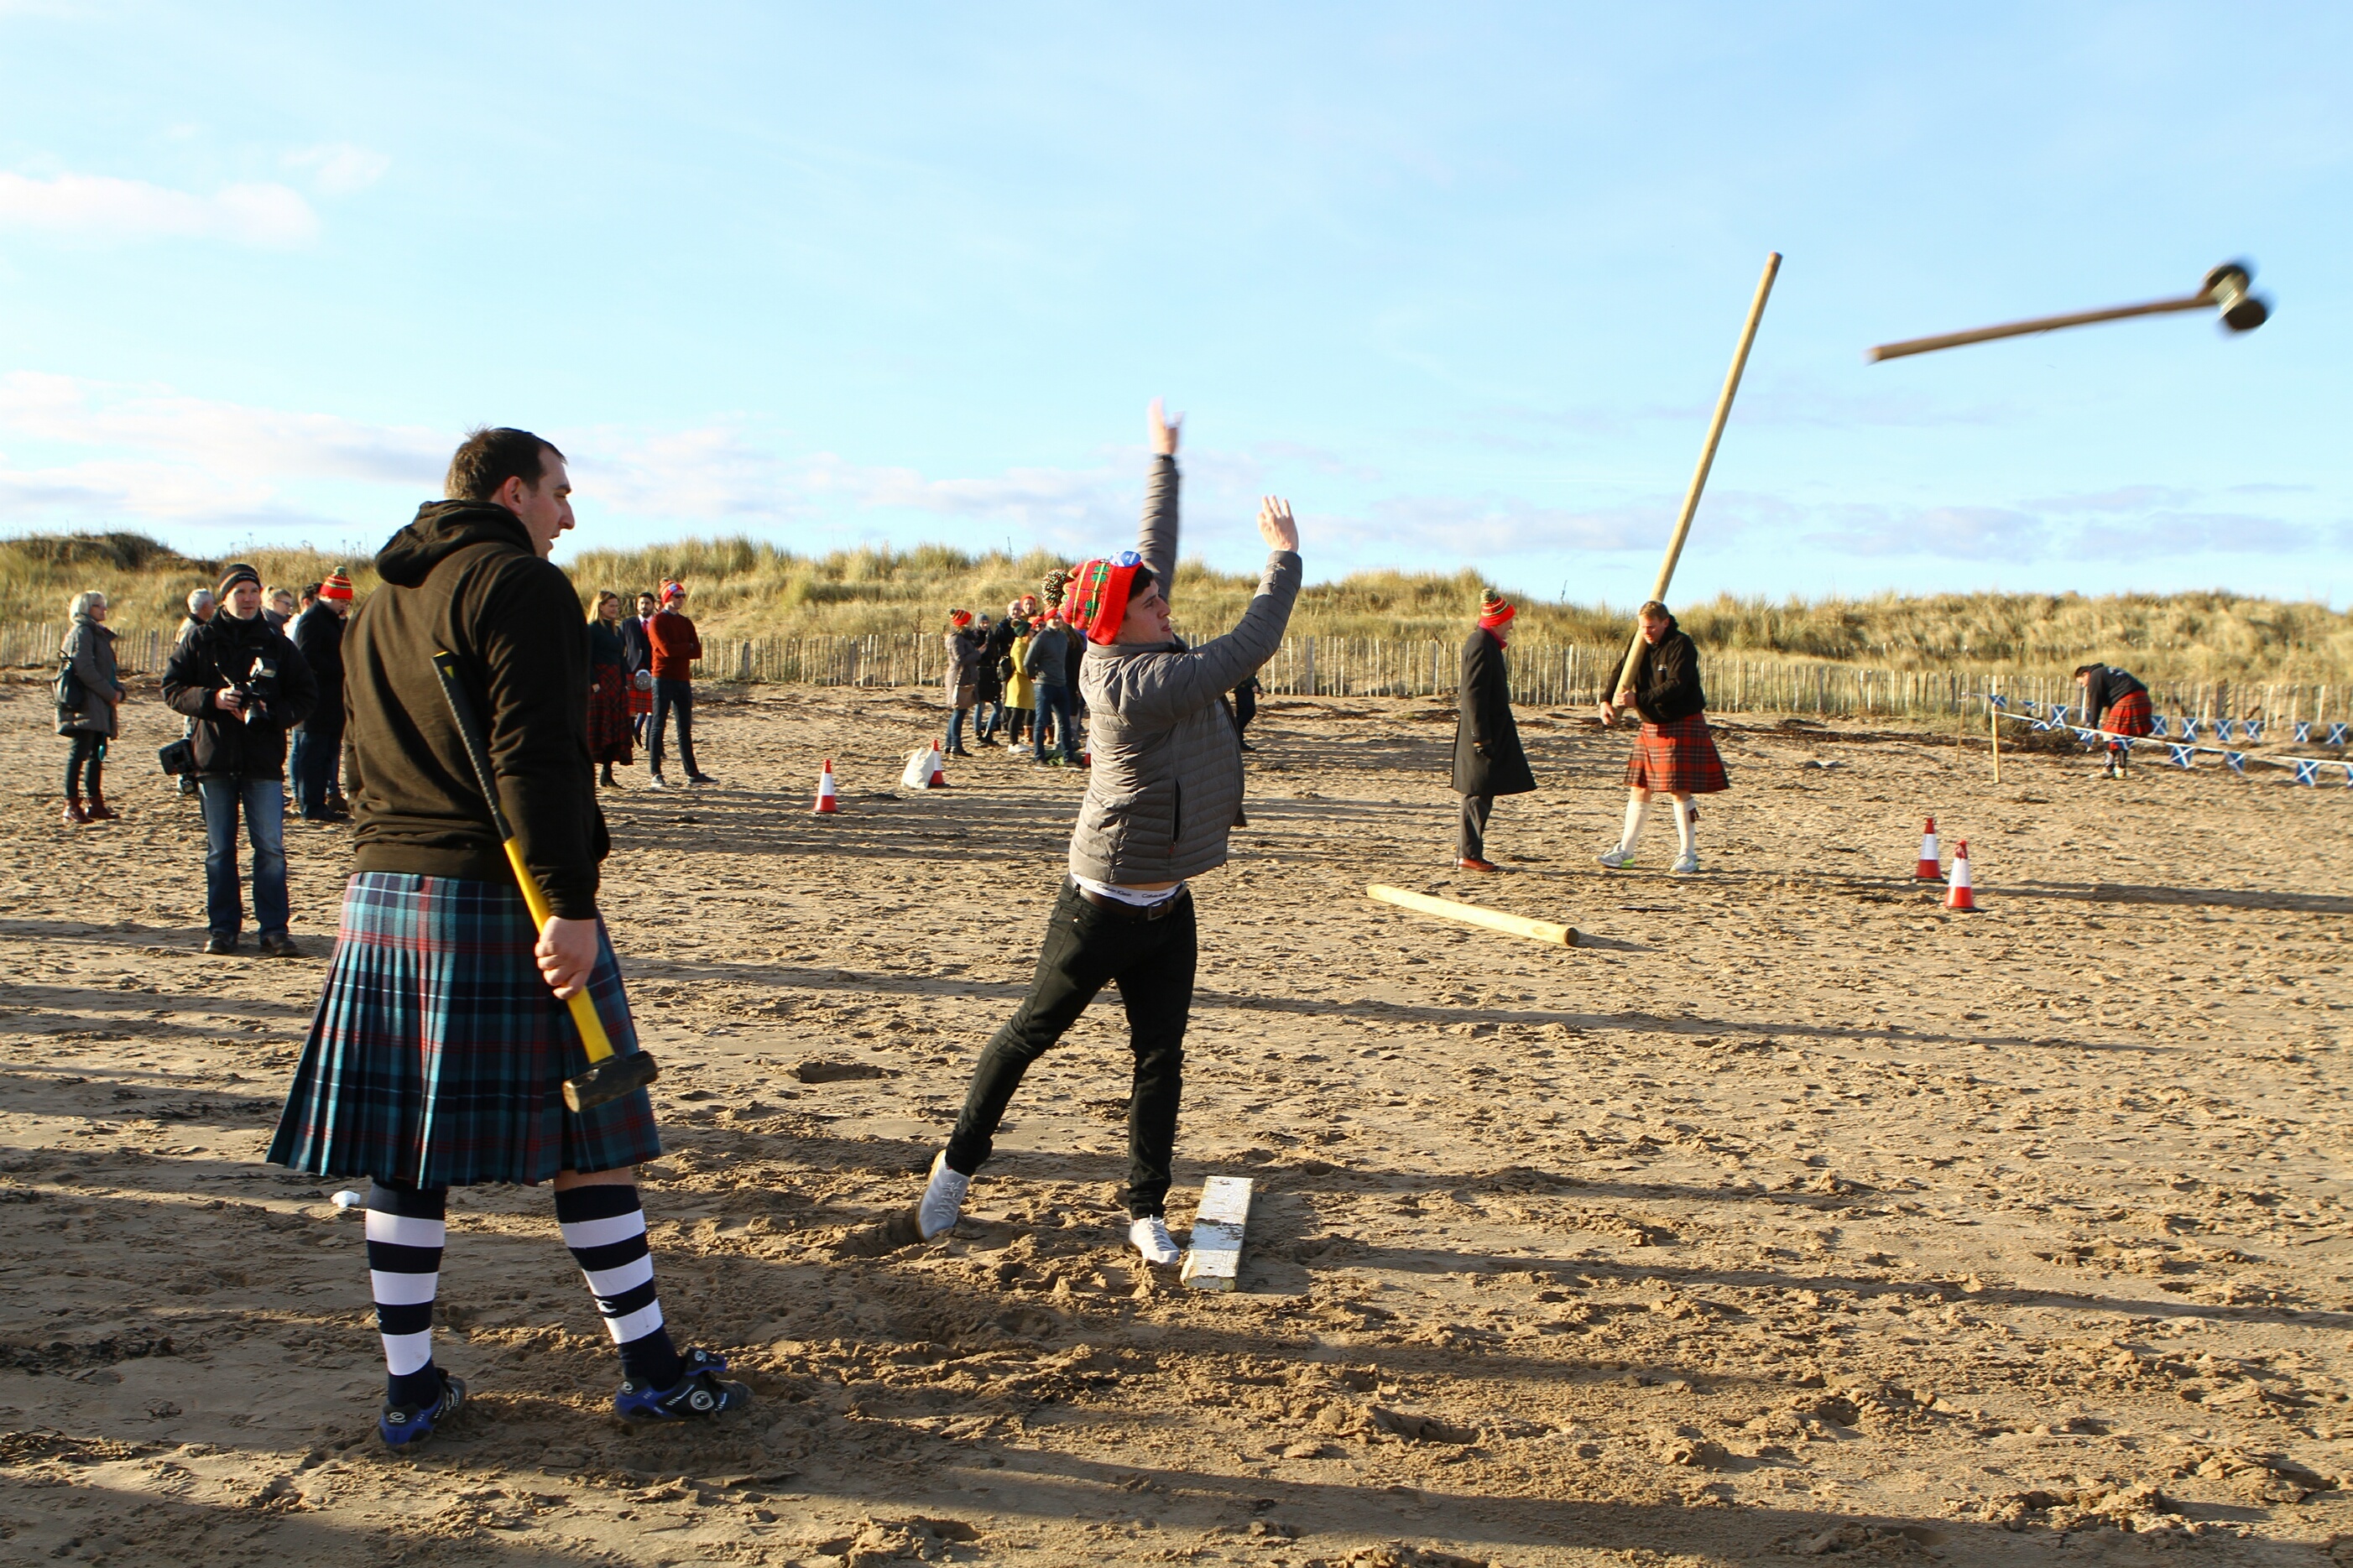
point(439, 1054)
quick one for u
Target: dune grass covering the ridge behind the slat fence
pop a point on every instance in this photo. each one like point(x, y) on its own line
point(749, 589)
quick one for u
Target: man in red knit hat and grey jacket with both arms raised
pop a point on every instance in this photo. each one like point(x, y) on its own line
point(1161, 798)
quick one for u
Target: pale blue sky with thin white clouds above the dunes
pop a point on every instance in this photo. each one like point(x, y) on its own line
point(1460, 283)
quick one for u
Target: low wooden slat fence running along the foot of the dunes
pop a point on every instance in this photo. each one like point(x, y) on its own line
point(1545, 676)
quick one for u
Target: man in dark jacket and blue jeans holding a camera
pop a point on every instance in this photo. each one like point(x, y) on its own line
point(246, 688)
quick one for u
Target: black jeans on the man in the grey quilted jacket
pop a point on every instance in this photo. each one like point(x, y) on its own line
point(1088, 946)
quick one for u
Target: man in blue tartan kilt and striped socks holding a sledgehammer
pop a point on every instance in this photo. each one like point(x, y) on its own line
point(439, 1054)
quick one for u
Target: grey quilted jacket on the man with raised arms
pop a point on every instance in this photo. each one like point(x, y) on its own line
point(1168, 768)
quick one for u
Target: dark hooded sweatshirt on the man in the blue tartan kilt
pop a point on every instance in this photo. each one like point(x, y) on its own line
point(465, 577)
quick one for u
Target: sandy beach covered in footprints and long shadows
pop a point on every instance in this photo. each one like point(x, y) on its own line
point(1785, 1217)
